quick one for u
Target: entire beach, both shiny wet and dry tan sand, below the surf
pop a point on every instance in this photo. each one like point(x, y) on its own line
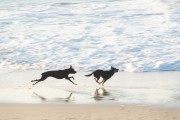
point(127, 96)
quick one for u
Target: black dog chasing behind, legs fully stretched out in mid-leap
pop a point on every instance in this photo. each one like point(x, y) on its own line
point(60, 74)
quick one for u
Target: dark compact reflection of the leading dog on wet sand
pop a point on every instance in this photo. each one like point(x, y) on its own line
point(102, 94)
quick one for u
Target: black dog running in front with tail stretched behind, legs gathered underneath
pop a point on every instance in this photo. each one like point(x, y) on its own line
point(104, 74)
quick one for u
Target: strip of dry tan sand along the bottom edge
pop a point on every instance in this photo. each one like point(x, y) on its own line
point(85, 112)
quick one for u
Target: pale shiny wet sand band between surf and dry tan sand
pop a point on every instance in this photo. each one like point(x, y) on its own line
point(159, 88)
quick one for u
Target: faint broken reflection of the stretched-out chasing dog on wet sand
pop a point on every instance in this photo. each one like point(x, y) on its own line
point(67, 99)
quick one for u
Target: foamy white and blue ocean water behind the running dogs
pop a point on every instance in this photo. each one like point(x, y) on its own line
point(132, 35)
